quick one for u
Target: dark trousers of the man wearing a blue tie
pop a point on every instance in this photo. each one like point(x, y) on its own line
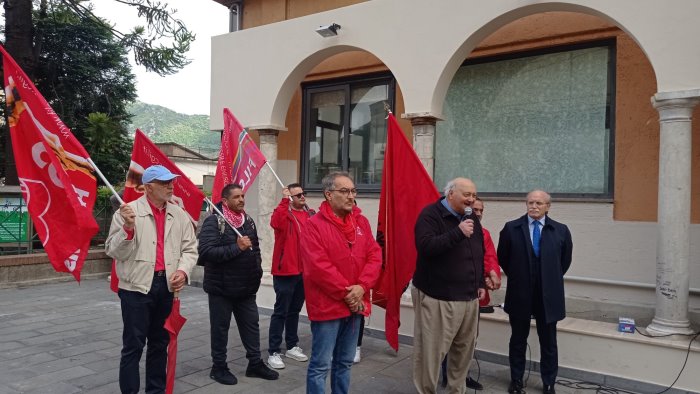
point(547, 333)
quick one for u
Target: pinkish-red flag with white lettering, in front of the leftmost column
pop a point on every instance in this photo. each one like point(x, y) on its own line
point(240, 160)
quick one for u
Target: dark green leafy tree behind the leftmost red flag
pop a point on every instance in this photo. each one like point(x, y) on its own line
point(84, 73)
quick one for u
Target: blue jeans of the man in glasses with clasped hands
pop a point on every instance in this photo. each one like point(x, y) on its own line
point(336, 339)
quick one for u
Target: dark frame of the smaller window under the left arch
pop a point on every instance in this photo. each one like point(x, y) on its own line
point(346, 84)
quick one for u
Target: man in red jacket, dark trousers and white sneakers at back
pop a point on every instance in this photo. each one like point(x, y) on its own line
point(288, 220)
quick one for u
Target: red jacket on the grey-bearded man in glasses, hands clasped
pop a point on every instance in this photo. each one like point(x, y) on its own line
point(331, 264)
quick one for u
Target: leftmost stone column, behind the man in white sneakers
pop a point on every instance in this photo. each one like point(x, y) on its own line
point(267, 195)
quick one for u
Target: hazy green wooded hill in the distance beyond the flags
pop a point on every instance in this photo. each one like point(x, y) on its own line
point(161, 124)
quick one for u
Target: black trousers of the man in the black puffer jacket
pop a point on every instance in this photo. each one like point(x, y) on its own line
point(245, 311)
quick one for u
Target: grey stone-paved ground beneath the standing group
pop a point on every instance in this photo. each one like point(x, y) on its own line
point(66, 338)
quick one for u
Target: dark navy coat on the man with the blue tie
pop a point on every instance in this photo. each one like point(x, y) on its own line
point(515, 256)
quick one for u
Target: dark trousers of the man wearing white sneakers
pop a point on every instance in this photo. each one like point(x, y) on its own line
point(289, 292)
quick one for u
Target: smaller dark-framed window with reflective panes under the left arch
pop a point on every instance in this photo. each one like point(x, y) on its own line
point(344, 129)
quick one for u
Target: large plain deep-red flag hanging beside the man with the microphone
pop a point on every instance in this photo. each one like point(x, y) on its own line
point(403, 175)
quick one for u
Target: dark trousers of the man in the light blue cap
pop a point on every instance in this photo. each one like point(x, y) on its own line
point(143, 316)
